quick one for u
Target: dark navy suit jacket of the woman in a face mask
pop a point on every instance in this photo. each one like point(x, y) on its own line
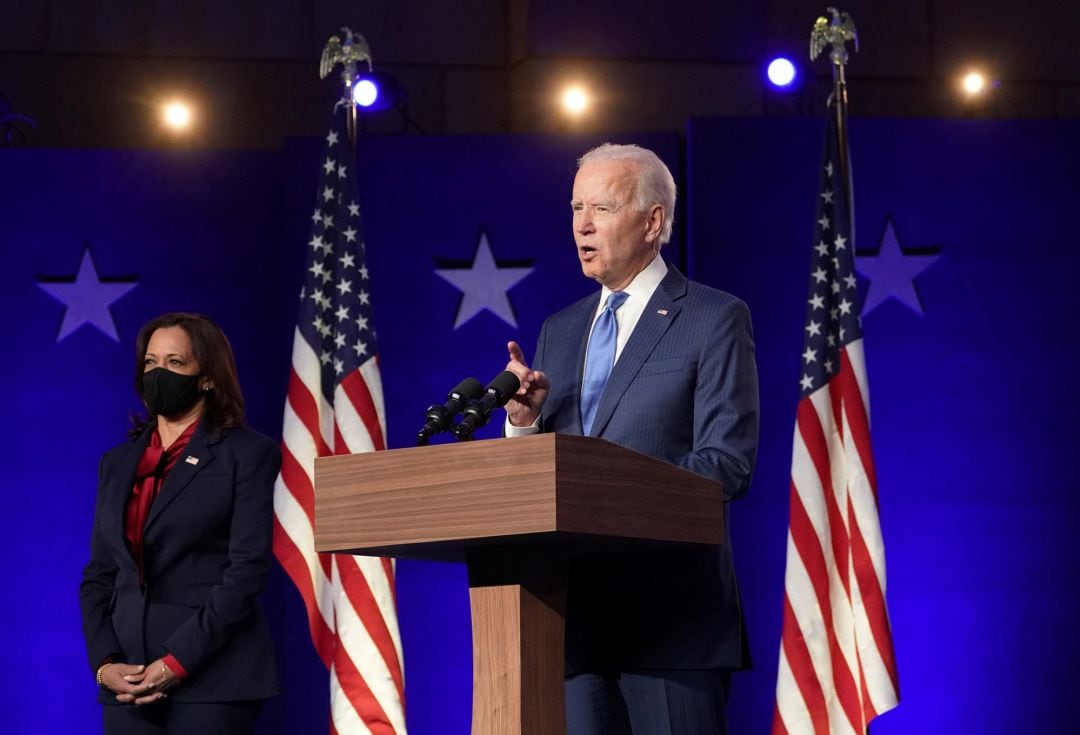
point(208, 550)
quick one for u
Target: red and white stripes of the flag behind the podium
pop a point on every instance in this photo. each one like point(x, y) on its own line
point(350, 601)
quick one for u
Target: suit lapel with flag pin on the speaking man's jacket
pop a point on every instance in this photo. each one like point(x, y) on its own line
point(659, 315)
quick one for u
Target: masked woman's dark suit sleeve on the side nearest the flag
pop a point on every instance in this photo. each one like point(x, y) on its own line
point(231, 604)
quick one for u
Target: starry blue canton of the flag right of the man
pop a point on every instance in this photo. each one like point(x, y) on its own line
point(833, 303)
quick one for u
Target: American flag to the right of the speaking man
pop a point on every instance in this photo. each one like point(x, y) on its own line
point(838, 671)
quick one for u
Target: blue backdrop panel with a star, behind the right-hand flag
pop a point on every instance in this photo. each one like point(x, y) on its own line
point(971, 401)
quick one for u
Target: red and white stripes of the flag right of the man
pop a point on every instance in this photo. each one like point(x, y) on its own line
point(838, 671)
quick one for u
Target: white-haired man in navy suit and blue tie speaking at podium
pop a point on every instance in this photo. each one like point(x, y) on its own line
point(665, 366)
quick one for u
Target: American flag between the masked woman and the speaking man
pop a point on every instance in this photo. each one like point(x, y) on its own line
point(335, 407)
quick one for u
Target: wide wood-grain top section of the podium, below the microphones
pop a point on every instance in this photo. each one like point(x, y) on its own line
point(436, 502)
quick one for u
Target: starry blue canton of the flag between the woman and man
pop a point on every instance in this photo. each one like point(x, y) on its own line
point(335, 315)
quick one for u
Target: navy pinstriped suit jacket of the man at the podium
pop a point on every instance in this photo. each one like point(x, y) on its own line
point(684, 390)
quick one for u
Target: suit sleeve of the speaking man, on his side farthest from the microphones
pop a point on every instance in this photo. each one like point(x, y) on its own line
point(726, 404)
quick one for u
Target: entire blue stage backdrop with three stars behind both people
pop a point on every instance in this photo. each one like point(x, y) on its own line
point(970, 240)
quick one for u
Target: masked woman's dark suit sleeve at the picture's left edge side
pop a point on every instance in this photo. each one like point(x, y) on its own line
point(97, 590)
